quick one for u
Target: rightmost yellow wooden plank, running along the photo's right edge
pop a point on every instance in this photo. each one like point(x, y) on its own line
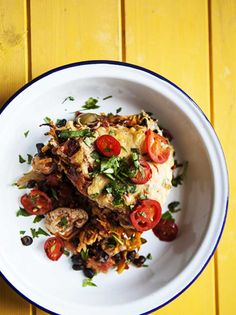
point(224, 98)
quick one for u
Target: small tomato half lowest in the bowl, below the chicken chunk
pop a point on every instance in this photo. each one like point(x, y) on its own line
point(54, 248)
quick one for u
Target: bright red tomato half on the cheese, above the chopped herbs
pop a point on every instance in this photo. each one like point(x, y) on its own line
point(108, 145)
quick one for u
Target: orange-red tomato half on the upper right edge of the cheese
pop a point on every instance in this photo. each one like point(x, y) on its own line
point(156, 147)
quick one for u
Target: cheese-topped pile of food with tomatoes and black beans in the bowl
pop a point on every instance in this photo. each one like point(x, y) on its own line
point(98, 184)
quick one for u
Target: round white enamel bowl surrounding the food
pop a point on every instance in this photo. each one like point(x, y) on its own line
point(54, 286)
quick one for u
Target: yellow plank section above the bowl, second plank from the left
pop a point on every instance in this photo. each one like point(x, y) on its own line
point(65, 31)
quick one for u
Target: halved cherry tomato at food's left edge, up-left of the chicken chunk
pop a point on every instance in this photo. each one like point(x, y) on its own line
point(36, 202)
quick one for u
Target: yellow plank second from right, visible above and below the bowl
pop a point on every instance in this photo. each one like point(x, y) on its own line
point(166, 37)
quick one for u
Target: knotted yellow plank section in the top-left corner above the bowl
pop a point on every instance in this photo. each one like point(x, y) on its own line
point(12, 47)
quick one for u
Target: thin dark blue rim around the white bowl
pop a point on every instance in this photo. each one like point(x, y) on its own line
point(125, 64)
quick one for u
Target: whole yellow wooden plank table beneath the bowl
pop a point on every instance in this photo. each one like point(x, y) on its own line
point(191, 42)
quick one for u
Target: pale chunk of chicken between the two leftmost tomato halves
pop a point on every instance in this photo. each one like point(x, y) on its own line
point(65, 222)
